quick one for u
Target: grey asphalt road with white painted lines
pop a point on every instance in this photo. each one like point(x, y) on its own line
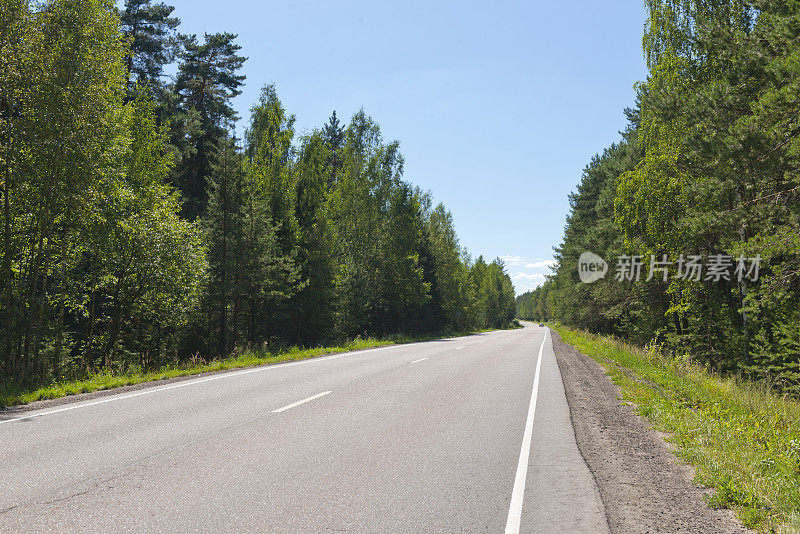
point(459, 435)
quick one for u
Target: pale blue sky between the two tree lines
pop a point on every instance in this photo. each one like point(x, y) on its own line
point(498, 105)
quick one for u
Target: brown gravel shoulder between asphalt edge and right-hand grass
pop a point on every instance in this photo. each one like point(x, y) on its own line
point(643, 485)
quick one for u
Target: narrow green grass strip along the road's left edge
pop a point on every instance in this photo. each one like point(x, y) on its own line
point(107, 380)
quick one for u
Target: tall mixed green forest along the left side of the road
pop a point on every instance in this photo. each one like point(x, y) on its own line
point(139, 231)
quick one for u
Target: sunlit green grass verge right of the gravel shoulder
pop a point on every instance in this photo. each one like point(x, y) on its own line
point(742, 438)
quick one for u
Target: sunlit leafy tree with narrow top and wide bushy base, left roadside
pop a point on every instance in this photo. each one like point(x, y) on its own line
point(145, 264)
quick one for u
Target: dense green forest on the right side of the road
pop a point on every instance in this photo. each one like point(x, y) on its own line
point(709, 165)
